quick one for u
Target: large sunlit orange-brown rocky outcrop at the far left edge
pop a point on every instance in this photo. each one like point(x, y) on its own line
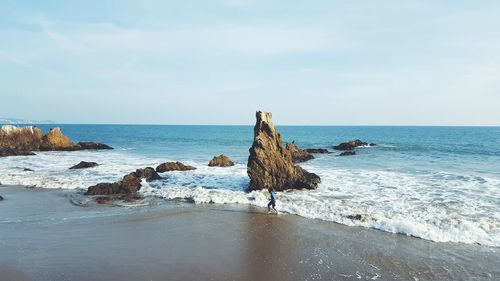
point(16, 141)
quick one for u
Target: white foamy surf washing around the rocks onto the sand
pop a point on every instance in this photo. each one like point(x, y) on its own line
point(437, 206)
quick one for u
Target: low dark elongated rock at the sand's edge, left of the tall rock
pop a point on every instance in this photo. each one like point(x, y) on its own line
point(130, 183)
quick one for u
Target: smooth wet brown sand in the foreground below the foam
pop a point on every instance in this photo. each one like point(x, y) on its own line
point(45, 237)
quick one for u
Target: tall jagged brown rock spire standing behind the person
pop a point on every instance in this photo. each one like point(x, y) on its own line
point(270, 164)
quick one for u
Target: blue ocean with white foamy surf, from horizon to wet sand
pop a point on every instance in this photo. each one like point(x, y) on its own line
point(435, 183)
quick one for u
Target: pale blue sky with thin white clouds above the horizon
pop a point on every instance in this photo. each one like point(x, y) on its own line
point(316, 62)
